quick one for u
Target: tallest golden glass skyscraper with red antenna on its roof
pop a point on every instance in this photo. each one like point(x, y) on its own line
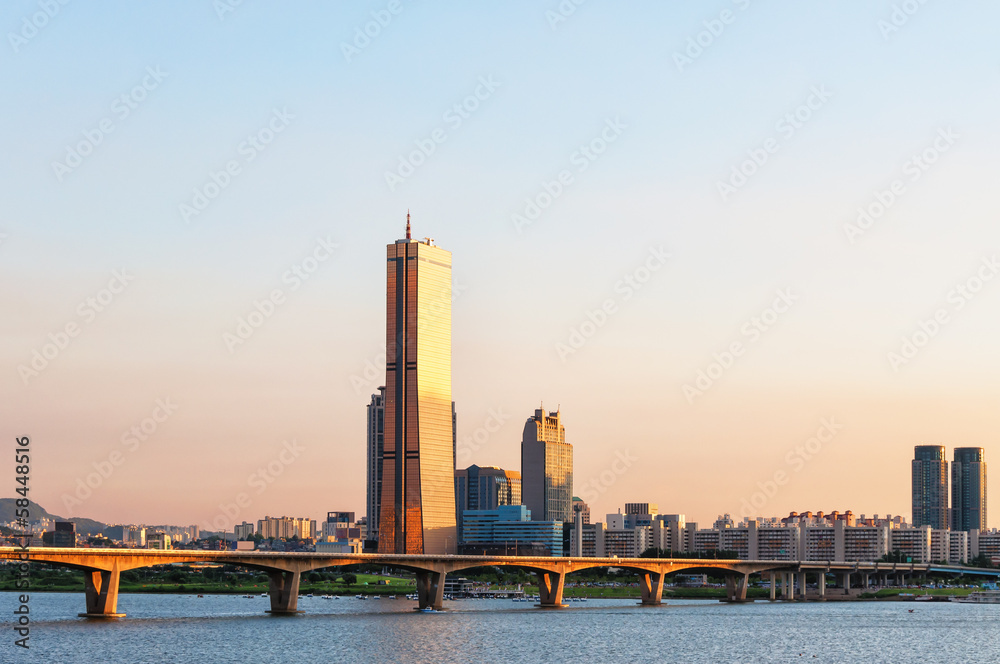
point(418, 469)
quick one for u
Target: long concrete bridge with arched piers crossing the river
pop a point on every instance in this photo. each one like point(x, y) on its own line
point(103, 567)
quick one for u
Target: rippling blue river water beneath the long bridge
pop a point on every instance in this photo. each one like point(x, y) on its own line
point(227, 628)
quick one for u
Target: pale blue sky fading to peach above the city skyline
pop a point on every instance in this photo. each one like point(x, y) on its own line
point(747, 249)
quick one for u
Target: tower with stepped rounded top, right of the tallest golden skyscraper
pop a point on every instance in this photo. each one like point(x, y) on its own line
point(547, 468)
